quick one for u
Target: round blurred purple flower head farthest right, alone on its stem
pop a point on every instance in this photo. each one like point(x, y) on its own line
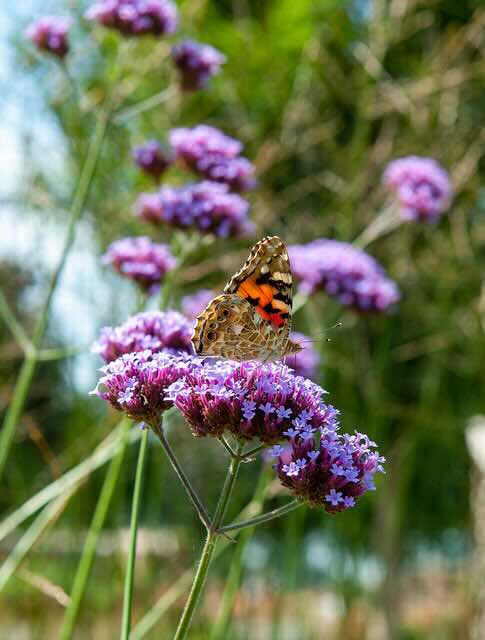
point(422, 187)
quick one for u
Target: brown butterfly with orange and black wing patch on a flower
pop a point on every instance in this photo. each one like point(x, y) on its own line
point(251, 320)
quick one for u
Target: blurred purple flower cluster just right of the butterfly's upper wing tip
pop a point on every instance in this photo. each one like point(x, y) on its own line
point(349, 274)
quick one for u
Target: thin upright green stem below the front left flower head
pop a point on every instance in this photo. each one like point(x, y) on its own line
point(135, 512)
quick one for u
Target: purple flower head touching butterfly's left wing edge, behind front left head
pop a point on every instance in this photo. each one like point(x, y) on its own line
point(167, 331)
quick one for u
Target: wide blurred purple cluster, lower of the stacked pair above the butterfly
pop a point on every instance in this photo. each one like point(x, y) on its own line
point(205, 206)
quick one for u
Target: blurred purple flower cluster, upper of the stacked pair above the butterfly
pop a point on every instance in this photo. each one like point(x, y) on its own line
point(213, 155)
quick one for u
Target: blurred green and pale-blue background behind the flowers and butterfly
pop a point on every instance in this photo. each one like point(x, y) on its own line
point(324, 94)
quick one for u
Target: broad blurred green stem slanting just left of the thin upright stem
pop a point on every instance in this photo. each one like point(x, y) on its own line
point(87, 557)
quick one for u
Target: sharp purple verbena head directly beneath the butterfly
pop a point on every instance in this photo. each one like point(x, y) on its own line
point(250, 400)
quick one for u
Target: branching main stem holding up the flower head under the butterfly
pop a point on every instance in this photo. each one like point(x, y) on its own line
point(209, 547)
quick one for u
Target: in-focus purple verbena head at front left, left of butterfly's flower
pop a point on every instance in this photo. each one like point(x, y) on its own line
point(136, 383)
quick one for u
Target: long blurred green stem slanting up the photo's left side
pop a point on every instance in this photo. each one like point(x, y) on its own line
point(27, 370)
